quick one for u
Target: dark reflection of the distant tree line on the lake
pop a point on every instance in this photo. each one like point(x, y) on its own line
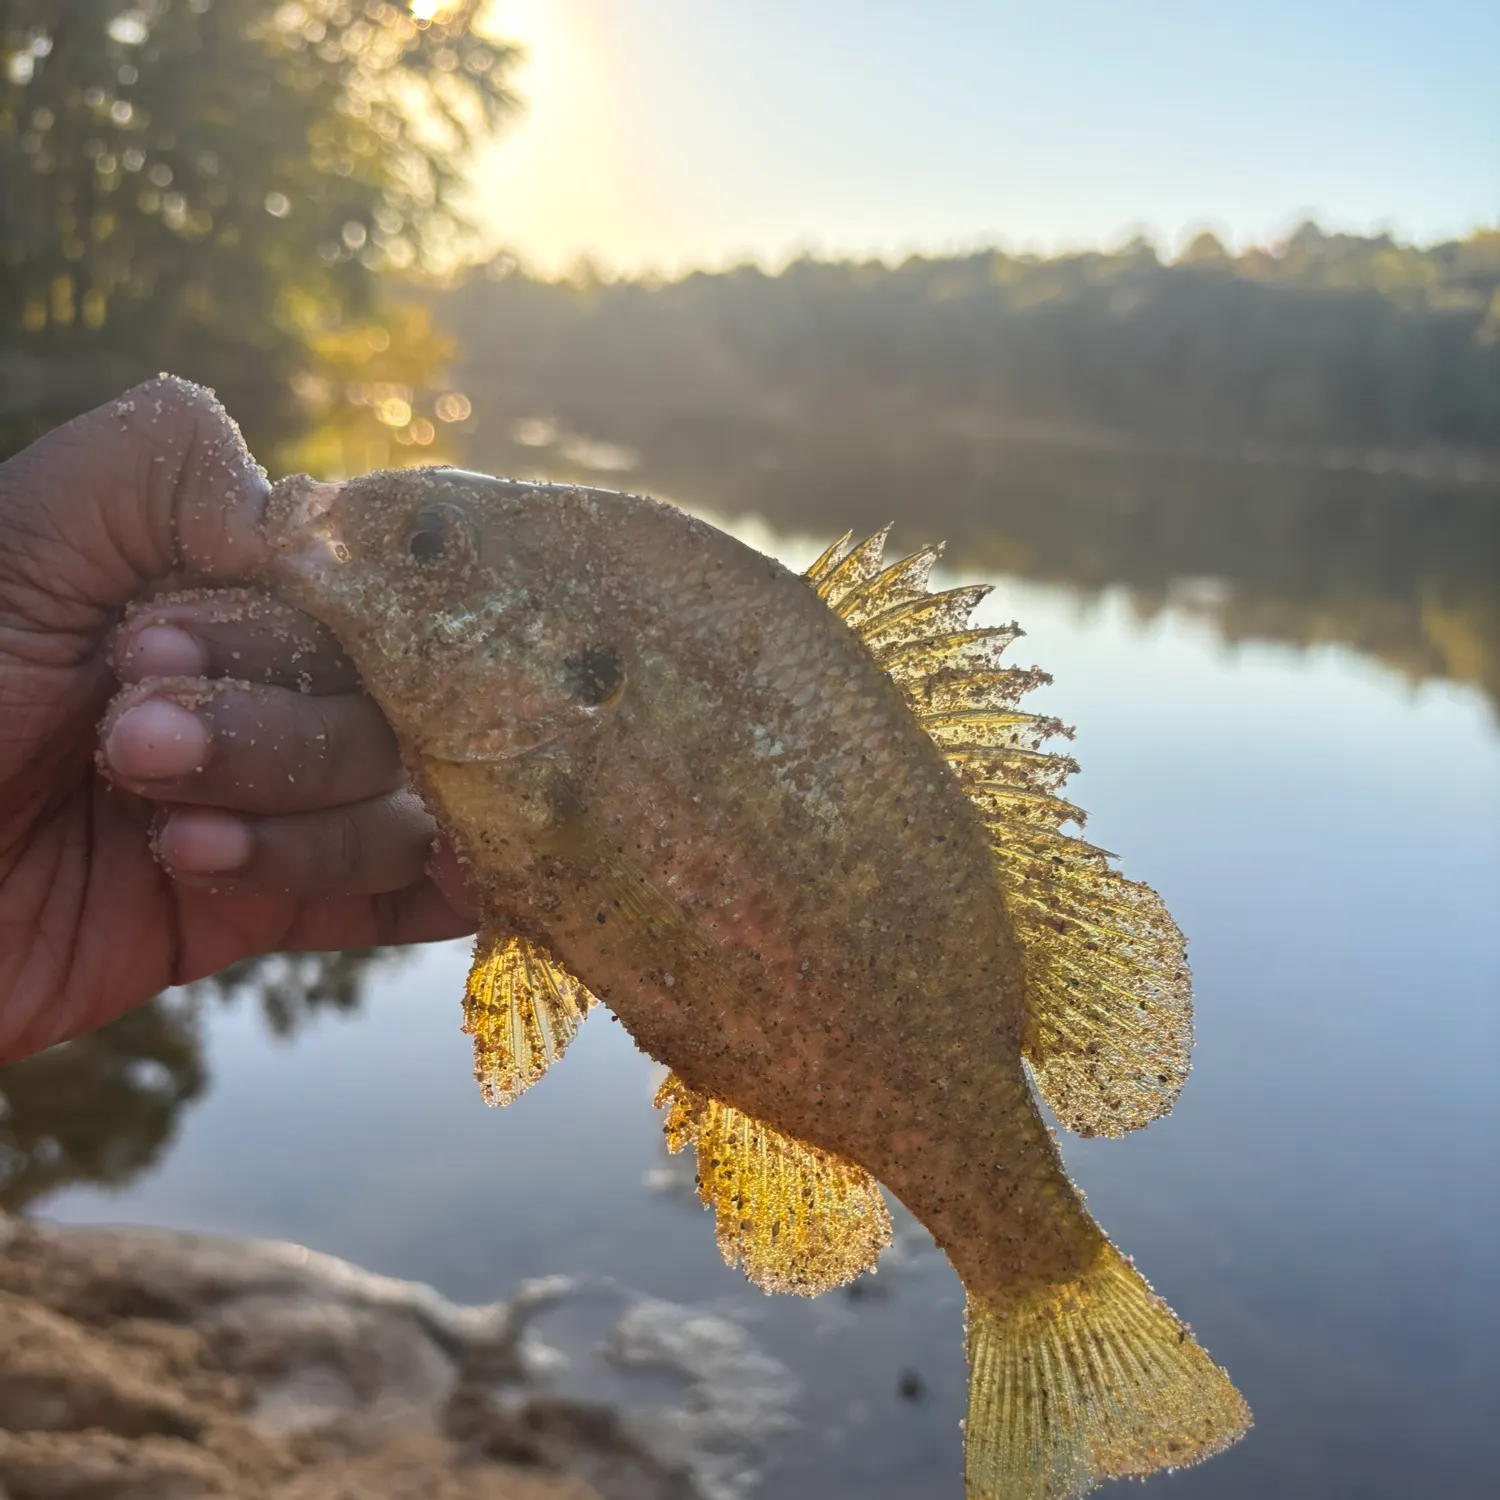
point(1402, 569)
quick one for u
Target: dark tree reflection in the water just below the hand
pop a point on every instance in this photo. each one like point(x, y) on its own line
point(103, 1109)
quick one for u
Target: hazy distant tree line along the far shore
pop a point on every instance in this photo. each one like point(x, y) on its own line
point(1325, 343)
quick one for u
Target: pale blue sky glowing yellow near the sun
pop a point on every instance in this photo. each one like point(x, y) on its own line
point(668, 134)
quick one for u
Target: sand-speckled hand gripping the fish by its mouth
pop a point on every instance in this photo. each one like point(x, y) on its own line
point(239, 796)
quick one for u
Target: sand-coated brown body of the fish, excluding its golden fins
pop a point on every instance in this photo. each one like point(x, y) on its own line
point(670, 766)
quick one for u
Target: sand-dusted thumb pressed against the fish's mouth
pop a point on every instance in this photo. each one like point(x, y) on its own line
point(152, 485)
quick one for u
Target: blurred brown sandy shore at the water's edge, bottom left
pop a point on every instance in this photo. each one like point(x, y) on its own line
point(154, 1366)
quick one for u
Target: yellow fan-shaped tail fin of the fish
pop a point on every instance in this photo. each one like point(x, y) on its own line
point(1085, 1382)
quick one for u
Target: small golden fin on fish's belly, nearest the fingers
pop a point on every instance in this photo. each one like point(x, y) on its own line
point(523, 1009)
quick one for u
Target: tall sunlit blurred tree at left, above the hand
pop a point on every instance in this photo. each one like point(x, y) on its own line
point(220, 187)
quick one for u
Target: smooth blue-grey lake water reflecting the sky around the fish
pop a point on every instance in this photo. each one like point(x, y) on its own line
point(1324, 1205)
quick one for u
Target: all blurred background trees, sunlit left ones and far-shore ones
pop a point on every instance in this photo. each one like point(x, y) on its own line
point(269, 197)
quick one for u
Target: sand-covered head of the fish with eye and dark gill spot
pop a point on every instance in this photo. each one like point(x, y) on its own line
point(485, 616)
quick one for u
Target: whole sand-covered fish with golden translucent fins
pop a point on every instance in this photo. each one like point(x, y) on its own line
point(799, 836)
